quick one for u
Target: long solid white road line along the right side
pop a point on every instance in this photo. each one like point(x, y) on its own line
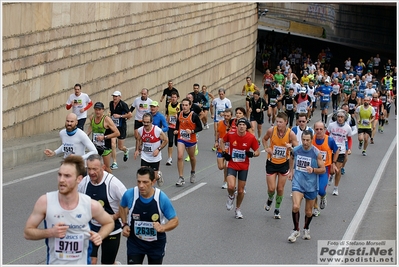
point(357, 219)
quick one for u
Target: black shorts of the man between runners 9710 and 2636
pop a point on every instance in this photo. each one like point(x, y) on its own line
point(109, 249)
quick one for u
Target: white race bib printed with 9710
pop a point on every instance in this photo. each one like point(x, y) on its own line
point(70, 247)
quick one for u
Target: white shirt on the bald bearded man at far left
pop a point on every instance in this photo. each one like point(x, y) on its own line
point(75, 144)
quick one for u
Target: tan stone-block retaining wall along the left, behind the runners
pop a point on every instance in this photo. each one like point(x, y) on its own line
point(48, 47)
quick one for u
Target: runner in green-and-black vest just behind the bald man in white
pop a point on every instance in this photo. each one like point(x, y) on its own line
point(103, 130)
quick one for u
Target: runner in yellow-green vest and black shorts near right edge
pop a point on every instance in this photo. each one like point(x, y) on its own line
point(365, 115)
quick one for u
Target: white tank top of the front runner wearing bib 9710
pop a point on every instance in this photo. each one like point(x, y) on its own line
point(74, 247)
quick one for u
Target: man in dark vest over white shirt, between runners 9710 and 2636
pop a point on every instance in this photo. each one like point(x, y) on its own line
point(108, 190)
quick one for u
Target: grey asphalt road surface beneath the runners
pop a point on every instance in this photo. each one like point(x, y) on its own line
point(208, 233)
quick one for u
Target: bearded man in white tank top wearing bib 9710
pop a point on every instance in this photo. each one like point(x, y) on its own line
point(67, 214)
